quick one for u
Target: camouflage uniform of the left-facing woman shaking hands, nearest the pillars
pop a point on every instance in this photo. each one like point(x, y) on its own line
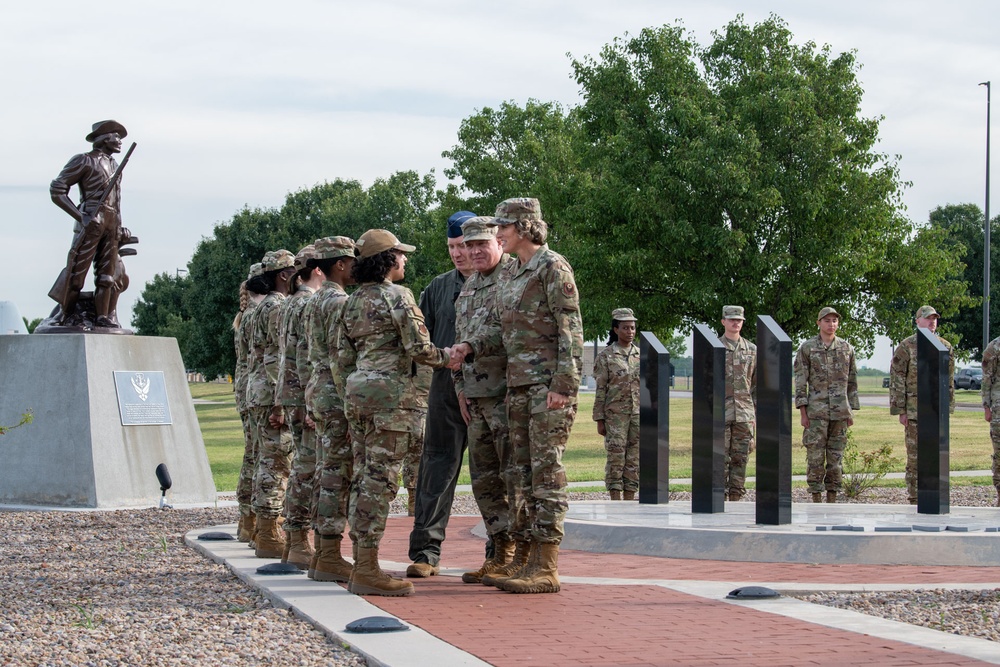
point(537, 320)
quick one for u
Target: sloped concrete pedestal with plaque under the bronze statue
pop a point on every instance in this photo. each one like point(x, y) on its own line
point(79, 452)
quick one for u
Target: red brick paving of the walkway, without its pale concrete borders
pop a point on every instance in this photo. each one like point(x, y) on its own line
point(590, 624)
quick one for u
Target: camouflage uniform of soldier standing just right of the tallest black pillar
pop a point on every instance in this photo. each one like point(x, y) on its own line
point(826, 384)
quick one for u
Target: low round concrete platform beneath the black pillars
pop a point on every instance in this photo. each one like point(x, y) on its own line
point(835, 533)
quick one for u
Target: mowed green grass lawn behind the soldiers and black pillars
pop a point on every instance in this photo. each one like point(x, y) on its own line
point(584, 458)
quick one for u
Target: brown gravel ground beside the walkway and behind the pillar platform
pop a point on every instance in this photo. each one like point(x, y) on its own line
point(109, 589)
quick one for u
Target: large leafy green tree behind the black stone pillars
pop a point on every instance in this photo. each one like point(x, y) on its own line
point(742, 172)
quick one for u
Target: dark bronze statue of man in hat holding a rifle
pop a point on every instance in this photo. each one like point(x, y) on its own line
point(97, 236)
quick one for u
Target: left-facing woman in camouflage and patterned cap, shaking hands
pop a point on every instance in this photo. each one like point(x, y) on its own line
point(537, 321)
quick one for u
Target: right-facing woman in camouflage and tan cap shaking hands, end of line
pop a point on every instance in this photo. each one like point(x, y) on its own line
point(381, 337)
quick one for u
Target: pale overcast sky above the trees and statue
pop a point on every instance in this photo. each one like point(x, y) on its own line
point(237, 103)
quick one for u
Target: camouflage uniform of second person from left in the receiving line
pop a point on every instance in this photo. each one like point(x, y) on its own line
point(274, 445)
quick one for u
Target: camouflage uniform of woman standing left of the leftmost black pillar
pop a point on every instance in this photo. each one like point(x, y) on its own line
point(616, 403)
